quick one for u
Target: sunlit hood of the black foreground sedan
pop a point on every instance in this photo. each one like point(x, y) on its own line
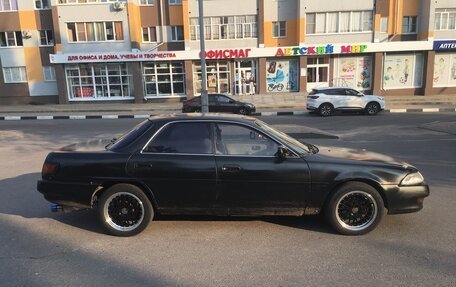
point(361, 155)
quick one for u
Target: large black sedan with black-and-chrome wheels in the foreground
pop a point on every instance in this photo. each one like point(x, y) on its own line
point(227, 165)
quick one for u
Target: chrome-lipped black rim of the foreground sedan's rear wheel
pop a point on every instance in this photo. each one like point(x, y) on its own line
point(123, 211)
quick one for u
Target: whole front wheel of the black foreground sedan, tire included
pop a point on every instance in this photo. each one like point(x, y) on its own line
point(355, 208)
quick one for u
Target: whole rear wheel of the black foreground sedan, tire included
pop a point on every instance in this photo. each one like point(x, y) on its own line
point(124, 210)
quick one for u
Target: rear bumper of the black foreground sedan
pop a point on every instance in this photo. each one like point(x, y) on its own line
point(73, 194)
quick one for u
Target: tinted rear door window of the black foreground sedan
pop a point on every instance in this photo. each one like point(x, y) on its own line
point(186, 138)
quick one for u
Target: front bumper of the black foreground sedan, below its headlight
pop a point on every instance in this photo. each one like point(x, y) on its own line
point(405, 199)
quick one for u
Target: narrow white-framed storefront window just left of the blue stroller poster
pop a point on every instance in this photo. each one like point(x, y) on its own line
point(245, 77)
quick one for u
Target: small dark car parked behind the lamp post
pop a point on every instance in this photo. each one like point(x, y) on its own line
point(219, 103)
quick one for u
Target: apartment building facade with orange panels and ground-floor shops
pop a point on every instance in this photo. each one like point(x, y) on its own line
point(74, 51)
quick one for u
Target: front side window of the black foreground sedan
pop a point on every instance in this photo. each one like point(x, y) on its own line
point(232, 139)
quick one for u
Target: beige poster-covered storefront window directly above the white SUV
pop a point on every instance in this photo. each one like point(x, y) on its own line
point(353, 72)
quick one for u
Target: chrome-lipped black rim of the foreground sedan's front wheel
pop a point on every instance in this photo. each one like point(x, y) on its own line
point(356, 210)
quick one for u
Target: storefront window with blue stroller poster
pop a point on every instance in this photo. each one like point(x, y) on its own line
point(282, 75)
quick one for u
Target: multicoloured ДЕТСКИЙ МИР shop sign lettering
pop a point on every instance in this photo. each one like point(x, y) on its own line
point(320, 50)
